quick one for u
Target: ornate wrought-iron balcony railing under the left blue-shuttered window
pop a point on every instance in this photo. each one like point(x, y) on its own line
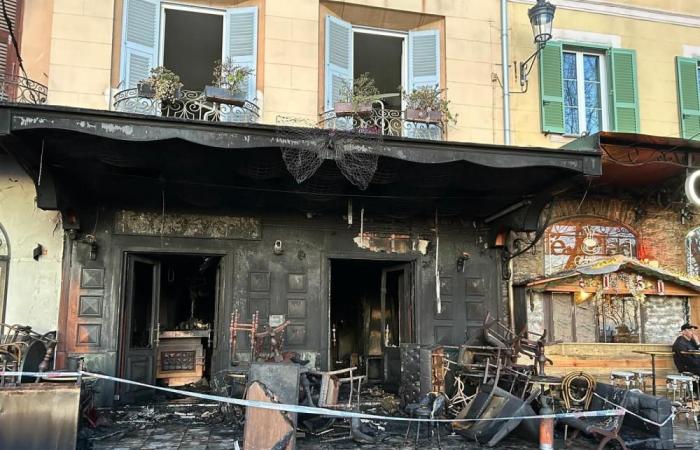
point(191, 105)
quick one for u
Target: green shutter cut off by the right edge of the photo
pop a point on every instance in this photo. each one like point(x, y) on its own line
point(688, 97)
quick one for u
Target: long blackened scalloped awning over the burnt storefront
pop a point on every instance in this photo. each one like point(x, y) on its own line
point(85, 157)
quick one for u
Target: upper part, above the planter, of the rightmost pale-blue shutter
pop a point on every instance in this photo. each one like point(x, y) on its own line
point(423, 59)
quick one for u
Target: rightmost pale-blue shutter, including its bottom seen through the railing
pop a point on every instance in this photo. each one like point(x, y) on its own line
point(423, 70)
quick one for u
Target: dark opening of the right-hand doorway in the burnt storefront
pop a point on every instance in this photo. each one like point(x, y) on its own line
point(371, 312)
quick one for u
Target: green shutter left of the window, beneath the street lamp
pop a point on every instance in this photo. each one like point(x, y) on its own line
point(551, 88)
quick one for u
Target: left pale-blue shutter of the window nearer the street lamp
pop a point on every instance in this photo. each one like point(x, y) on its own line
point(339, 46)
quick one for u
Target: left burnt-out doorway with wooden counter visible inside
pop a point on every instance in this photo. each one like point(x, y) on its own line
point(170, 304)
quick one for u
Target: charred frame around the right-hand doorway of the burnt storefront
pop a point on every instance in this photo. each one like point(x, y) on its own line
point(326, 288)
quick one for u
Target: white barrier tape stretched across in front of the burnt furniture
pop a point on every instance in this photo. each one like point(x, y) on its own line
point(309, 409)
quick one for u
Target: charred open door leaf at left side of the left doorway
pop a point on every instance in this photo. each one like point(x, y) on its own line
point(139, 325)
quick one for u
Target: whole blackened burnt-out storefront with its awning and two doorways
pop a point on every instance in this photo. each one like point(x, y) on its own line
point(176, 230)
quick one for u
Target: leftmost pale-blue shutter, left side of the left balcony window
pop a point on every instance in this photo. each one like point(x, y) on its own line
point(140, 40)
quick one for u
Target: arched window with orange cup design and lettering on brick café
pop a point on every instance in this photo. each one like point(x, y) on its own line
point(583, 240)
